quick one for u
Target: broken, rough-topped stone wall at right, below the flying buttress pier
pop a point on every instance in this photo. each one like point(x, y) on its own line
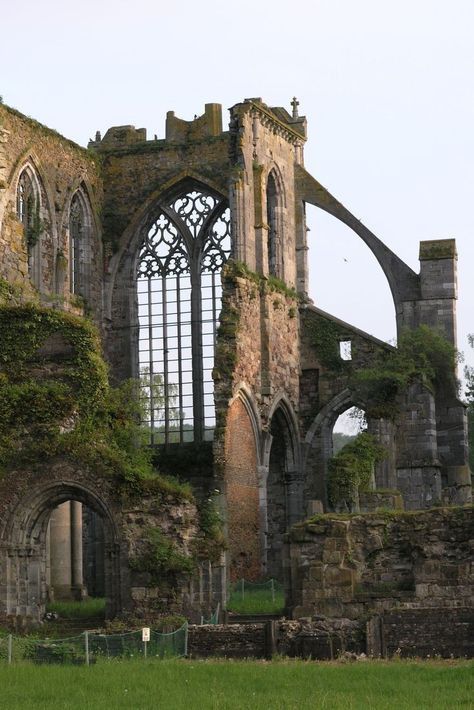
point(355, 566)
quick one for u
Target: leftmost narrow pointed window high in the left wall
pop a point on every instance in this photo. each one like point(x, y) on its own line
point(28, 212)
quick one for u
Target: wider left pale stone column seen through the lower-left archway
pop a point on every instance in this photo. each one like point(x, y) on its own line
point(60, 551)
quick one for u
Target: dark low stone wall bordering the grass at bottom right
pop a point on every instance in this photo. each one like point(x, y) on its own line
point(423, 632)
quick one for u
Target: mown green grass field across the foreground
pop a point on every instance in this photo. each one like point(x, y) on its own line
point(246, 685)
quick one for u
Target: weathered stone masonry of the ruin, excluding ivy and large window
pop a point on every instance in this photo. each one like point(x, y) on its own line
point(279, 382)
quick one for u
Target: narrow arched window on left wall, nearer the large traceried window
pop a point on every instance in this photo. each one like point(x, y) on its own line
point(79, 237)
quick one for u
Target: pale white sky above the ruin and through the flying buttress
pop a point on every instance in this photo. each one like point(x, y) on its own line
point(387, 87)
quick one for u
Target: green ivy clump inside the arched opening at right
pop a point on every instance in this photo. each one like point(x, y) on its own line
point(352, 468)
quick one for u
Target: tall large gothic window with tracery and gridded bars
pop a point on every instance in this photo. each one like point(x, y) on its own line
point(179, 300)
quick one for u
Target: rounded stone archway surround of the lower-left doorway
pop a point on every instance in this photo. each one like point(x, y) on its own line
point(23, 587)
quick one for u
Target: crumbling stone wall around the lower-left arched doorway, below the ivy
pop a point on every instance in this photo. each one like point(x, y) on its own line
point(26, 502)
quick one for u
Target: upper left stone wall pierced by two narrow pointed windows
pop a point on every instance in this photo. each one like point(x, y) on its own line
point(61, 167)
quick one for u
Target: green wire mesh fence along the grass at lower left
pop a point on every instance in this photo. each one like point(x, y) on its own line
point(89, 647)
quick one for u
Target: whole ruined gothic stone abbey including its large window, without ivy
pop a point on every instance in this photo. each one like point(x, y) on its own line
point(189, 254)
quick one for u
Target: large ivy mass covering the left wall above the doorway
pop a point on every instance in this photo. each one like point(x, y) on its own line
point(60, 404)
